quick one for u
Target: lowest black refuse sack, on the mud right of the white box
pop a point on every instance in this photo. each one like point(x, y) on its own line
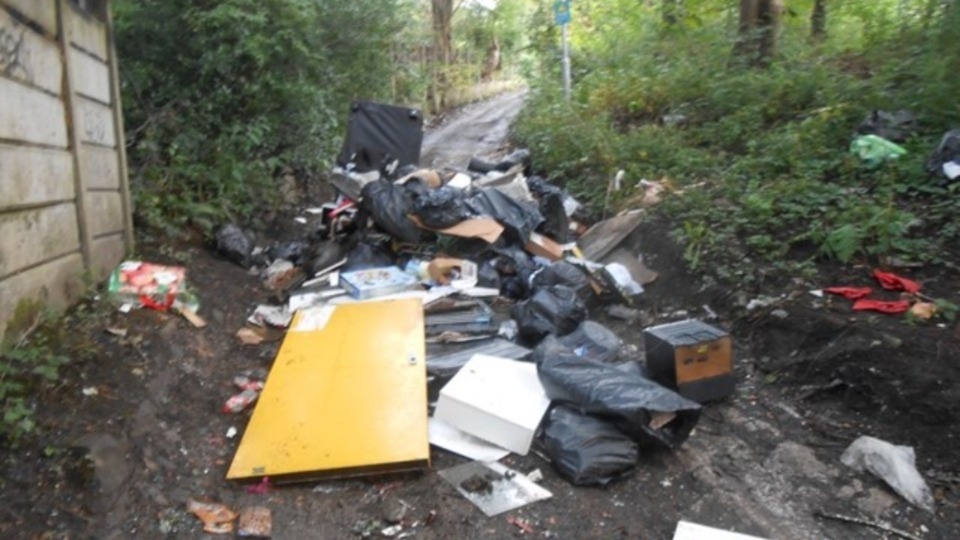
point(587, 450)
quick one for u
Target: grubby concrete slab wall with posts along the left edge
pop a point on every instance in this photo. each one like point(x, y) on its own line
point(64, 199)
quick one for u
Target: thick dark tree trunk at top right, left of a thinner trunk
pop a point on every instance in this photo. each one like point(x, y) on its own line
point(758, 31)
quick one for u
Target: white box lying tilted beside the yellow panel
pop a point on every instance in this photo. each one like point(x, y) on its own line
point(496, 399)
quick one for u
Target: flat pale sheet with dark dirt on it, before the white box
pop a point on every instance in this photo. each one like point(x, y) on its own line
point(494, 488)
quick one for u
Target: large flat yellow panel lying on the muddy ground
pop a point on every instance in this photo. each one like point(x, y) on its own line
point(350, 398)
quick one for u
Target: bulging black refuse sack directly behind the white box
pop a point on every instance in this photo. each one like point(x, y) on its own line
point(555, 310)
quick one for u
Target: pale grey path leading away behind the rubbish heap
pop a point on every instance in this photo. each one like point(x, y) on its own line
point(475, 130)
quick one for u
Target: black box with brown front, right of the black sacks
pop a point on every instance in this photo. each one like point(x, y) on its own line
point(693, 357)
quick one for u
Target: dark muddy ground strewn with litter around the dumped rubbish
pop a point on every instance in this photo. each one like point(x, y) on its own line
point(812, 376)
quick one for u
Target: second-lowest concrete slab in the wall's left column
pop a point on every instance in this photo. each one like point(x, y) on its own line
point(28, 237)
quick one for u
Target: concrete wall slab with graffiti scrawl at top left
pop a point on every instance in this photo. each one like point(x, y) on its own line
point(29, 57)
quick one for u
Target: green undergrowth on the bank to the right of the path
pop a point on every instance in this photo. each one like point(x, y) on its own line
point(760, 149)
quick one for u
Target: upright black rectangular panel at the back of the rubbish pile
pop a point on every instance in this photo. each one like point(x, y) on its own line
point(377, 133)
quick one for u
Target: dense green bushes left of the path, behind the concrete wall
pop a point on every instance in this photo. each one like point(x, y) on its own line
point(223, 96)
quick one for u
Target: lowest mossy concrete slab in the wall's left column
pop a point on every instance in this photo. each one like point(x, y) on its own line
point(56, 283)
